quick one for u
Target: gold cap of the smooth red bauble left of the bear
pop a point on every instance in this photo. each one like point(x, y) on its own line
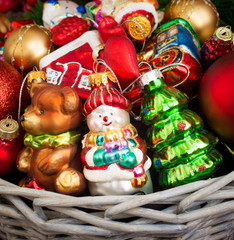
point(9, 129)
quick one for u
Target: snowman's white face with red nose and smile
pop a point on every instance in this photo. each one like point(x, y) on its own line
point(106, 117)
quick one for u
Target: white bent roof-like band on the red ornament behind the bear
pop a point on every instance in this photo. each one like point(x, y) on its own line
point(91, 37)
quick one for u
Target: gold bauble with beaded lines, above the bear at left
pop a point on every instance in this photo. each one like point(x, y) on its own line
point(26, 45)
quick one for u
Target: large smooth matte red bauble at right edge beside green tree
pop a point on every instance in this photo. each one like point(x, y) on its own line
point(217, 97)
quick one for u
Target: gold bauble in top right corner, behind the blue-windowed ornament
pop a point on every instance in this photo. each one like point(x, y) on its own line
point(201, 14)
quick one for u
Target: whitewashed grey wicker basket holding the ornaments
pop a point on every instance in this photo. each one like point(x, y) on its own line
point(199, 210)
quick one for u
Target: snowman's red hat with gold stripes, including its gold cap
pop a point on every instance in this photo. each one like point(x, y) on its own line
point(103, 93)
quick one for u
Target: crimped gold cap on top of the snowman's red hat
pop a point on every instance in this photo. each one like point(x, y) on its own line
point(96, 79)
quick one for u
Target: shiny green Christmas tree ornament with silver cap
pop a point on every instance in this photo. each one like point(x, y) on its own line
point(183, 151)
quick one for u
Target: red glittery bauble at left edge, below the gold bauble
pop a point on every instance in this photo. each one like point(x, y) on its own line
point(10, 82)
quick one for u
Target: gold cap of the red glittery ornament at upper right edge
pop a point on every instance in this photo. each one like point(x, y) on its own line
point(224, 34)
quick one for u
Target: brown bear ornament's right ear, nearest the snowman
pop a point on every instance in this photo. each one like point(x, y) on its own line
point(71, 100)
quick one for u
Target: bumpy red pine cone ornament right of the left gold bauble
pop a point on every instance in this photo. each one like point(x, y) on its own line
point(69, 29)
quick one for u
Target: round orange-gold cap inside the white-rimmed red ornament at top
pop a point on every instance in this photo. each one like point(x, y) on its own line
point(139, 27)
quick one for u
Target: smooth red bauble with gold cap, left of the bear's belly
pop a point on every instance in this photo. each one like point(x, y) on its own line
point(10, 144)
